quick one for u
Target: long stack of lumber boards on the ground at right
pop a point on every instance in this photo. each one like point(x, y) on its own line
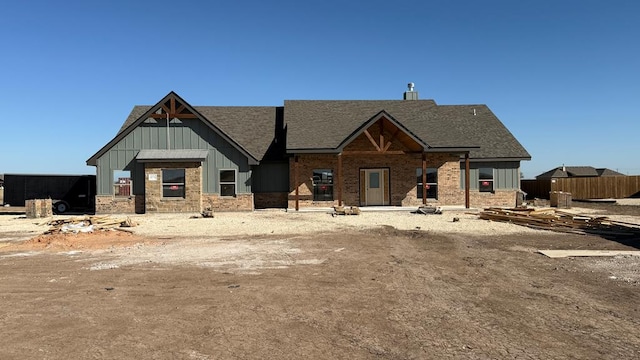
point(561, 221)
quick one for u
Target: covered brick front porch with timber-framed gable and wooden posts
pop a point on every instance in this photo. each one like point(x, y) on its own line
point(380, 164)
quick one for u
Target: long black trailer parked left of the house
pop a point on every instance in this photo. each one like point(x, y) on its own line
point(67, 192)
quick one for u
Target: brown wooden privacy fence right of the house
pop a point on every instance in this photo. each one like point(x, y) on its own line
point(605, 187)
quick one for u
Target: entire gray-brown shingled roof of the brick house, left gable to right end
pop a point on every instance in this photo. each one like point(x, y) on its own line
point(324, 125)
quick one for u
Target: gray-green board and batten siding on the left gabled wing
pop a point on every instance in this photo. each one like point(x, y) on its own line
point(183, 134)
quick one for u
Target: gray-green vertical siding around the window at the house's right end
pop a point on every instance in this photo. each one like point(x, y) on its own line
point(506, 174)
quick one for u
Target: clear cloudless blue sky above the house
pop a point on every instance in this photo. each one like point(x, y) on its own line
point(563, 75)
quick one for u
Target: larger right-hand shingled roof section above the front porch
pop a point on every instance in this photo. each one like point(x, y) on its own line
point(324, 125)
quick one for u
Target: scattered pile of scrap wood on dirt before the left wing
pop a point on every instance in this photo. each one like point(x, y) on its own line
point(89, 224)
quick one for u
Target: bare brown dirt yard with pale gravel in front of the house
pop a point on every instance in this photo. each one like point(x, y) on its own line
point(278, 285)
